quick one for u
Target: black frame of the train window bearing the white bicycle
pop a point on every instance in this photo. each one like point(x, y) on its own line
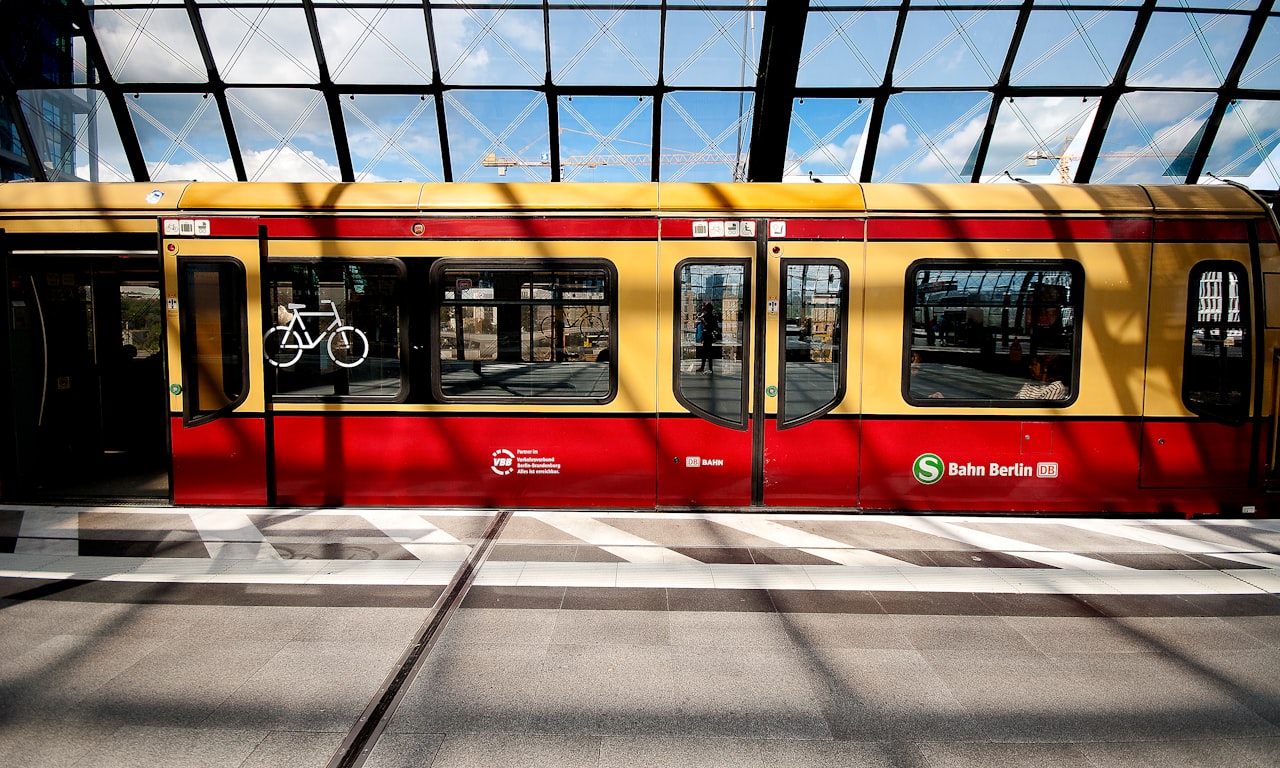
point(269, 322)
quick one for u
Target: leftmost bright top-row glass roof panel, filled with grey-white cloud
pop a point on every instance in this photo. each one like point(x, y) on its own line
point(150, 45)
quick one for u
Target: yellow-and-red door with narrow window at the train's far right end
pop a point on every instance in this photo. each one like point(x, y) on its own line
point(1203, 426)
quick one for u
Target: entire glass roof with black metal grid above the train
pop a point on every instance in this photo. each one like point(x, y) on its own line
point(1114, 92)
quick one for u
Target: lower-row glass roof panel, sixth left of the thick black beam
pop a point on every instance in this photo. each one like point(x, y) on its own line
point(182, 138)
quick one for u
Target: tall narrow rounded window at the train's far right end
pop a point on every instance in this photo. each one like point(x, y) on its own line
point(1218, 359)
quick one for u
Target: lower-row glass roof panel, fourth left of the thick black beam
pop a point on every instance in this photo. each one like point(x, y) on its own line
point(394, 138)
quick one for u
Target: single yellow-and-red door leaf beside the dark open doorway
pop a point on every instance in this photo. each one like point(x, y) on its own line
point(218, 422)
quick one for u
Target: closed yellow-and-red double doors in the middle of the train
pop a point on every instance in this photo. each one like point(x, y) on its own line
point(757, 367)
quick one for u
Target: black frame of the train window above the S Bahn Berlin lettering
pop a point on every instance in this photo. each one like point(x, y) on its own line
point(1077, 304)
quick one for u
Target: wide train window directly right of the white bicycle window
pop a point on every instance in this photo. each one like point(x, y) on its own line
point(525, 331)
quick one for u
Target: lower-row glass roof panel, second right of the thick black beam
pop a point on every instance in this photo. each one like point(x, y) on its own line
point(931, 138)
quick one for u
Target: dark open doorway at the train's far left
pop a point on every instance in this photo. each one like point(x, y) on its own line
point(86, 377)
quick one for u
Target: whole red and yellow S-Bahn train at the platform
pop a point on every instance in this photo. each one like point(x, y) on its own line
point(881, 348)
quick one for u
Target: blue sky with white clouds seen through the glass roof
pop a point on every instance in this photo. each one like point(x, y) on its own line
point(948, 60)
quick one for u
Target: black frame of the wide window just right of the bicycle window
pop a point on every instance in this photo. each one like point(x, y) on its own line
point(436, 300)
